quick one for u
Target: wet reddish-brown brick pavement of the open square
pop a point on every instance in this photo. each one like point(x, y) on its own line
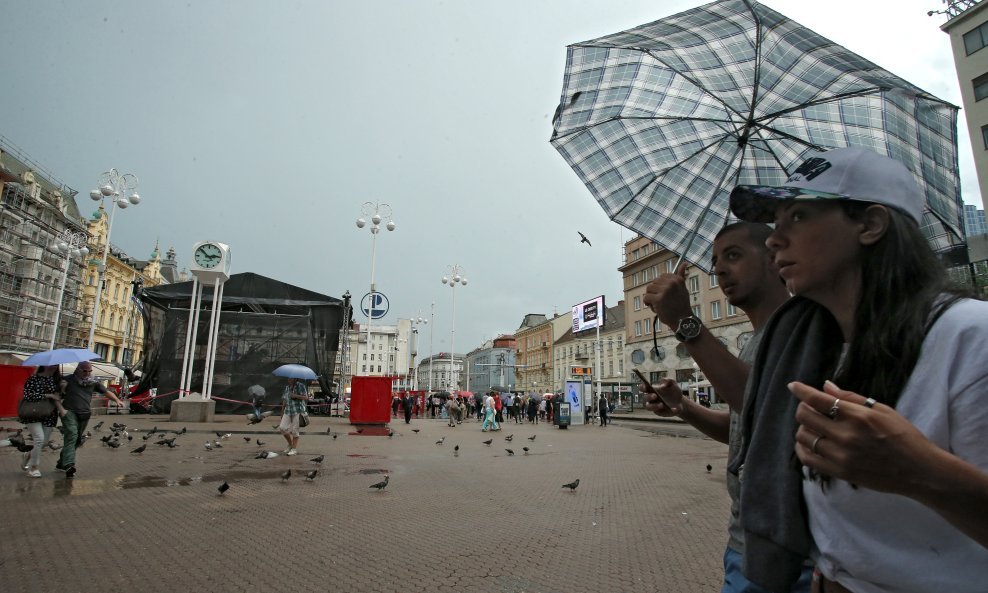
point(646, 517)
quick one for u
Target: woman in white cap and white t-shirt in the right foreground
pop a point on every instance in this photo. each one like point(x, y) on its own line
point(886, 360)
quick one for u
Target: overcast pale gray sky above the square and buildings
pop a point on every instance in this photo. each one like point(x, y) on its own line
point(266, 125)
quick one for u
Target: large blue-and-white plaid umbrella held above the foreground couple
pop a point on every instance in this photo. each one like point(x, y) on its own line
point(663, 120)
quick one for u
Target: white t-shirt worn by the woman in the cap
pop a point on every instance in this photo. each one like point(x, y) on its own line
point(873, 542)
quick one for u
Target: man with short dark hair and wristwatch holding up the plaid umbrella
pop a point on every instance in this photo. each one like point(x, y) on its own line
point(750, 281)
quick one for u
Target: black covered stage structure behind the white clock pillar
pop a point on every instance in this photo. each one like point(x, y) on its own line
point(261, 324)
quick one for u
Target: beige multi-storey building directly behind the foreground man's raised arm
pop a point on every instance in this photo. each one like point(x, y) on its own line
point(645, 261)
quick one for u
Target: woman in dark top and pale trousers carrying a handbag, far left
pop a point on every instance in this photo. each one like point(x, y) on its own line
point(40, 408)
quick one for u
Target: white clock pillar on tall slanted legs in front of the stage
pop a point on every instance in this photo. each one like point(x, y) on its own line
point(210, 266)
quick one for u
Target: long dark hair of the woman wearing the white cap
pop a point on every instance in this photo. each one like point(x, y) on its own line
point(904, 288)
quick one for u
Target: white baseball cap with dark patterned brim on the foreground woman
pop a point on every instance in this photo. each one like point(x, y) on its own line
point(850, 173)
